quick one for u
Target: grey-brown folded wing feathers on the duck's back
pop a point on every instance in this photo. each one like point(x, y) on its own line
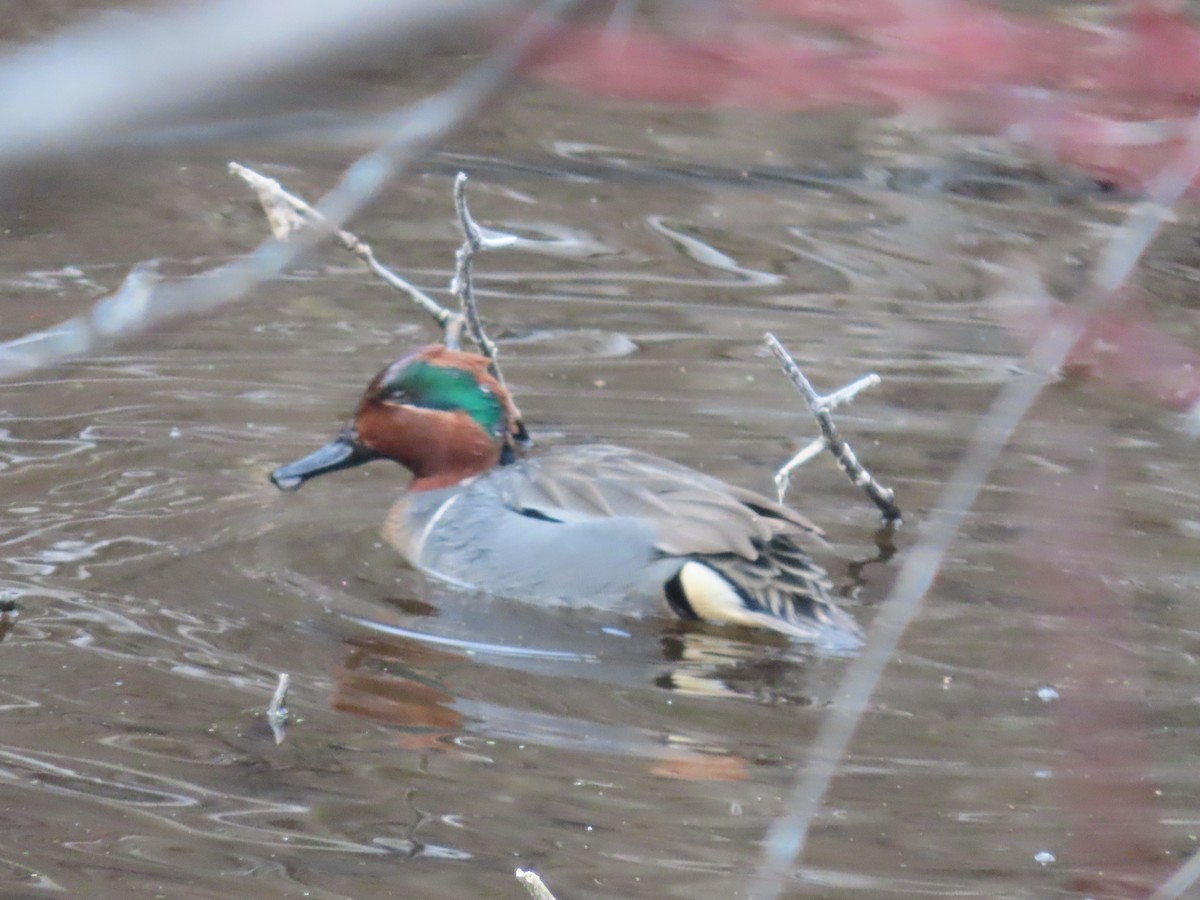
point(692, 513)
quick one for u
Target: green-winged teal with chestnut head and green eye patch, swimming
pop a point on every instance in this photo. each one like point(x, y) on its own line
point(595, 525)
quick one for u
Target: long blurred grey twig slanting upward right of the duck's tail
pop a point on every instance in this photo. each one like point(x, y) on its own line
point(787, 837)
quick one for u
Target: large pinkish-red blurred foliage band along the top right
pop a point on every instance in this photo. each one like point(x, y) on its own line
point(1113, 99)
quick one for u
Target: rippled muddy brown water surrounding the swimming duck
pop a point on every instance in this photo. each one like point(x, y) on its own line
point(441, 740)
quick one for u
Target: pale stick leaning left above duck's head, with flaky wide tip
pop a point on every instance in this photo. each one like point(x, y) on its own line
point(287, 214)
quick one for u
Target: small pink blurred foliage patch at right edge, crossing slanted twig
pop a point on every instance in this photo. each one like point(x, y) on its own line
point(1119, 345)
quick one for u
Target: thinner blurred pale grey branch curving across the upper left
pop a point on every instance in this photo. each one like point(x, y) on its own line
point(416, 130)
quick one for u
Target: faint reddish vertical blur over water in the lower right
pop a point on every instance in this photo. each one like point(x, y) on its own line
point(1106, 772)
